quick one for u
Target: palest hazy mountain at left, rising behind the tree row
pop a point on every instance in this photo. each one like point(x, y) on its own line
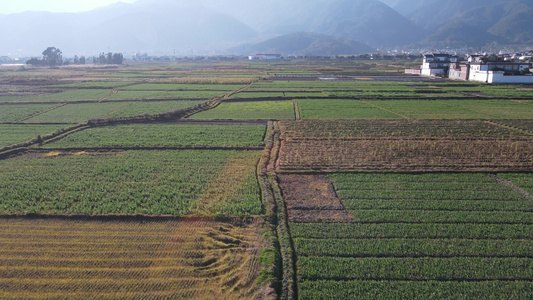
point(144, 26)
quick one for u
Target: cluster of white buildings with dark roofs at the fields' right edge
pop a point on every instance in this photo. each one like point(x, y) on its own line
point(480, 68)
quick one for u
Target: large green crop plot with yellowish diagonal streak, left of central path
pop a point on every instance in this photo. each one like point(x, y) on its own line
point(188, 182)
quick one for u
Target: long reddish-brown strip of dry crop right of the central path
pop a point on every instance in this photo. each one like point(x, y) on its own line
point(408, 154)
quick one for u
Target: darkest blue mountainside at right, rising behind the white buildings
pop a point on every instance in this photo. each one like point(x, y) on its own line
point(475, 23)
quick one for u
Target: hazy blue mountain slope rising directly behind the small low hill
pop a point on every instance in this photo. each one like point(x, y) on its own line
point(367, 21)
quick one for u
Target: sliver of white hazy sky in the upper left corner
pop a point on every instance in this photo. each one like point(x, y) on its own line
point(16, 6)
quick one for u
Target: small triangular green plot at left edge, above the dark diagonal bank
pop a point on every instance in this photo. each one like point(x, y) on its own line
point(16, 133)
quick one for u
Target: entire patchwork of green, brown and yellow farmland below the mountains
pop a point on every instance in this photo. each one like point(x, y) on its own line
point(303, 179)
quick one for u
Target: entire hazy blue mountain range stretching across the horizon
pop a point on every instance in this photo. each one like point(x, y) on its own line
point(318, 27)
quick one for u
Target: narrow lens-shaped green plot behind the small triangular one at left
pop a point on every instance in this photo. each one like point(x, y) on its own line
point(79, 113)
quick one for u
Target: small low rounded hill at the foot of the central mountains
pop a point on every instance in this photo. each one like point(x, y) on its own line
point(309, 44)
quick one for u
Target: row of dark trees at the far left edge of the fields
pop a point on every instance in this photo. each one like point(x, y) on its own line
point(53, 57)
